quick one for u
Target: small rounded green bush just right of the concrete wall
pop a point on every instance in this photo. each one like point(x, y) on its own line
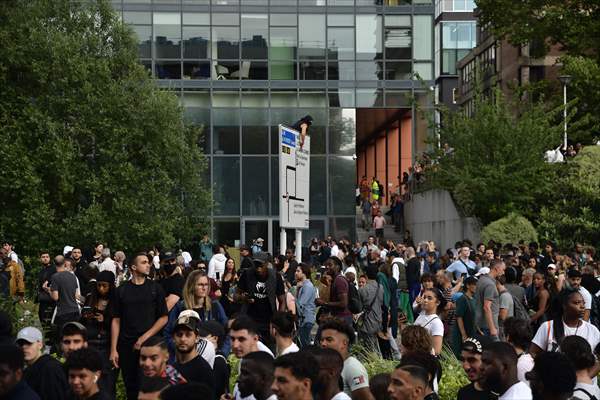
point(510, 229)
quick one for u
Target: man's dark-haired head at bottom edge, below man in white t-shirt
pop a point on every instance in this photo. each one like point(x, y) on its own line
point(256, 376)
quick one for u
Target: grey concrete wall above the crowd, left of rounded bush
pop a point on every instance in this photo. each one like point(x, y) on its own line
point(432, 215)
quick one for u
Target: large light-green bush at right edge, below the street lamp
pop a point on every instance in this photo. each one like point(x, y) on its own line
point(574, 213)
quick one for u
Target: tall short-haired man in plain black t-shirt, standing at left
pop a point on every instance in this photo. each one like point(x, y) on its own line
point(140, 312)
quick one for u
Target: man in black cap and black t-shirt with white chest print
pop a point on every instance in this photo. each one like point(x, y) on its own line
point(261, 291)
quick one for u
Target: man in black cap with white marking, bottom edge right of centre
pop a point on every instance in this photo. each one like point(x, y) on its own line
point(472, 349)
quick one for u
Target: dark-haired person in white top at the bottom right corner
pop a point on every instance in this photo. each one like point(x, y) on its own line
point(578, 350)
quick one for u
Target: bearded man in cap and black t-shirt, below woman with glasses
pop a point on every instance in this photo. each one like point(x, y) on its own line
point(189, 363)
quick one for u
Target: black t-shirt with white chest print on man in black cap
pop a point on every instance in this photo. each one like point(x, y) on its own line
point(250, 283)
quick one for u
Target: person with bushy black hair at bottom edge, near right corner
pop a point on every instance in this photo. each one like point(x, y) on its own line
point(553, 377)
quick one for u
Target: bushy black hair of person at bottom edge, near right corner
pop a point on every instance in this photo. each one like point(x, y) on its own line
point(556, 372)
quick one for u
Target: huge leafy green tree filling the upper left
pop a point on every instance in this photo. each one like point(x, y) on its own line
point(90, 148)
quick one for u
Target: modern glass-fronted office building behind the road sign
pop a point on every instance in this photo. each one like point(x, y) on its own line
point(241, 67)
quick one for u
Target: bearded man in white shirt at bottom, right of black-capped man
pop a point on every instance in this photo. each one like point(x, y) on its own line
point(499, 372)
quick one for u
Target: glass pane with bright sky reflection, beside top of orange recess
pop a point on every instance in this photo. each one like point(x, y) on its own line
point(342, 131)
